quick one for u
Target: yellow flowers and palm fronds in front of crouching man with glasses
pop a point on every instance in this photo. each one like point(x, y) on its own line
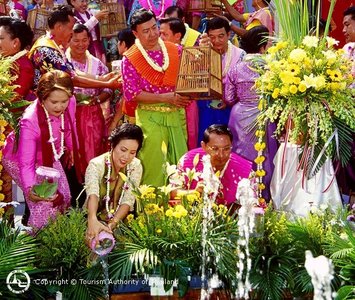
point(168, 240)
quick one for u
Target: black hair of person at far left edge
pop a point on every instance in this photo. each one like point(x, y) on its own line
point(17, 28)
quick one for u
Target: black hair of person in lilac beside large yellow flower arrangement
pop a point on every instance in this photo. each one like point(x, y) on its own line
point(254, 39)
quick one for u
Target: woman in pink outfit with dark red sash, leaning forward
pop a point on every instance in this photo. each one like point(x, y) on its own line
point(46, 138)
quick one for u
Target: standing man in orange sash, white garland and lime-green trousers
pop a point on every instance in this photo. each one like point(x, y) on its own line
point(149, 70)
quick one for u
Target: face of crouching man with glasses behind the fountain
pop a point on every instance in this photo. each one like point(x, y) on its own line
point(219, 148)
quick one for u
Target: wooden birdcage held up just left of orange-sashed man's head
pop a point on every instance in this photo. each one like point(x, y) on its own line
point(116, 19)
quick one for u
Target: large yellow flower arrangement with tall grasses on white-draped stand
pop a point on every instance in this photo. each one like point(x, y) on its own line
point(304, 86)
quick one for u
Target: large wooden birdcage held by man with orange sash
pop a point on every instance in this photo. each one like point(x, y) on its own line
point(200, 73)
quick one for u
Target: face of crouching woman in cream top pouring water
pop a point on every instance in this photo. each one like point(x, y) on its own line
point(124, 152)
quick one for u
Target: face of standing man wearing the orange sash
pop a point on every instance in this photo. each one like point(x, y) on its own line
point(148, 34)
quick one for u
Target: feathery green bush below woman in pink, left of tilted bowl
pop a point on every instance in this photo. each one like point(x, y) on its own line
point(63, 250)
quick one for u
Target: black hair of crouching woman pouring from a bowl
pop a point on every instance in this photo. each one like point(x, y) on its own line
point(126, 131)
